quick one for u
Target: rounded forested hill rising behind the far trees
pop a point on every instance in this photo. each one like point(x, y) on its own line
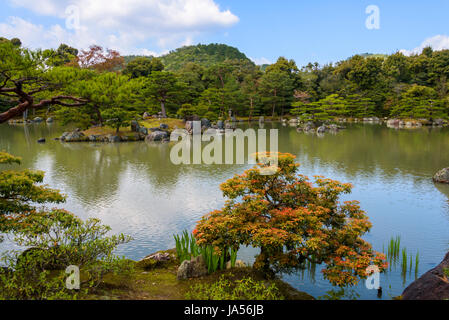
point(204, 55)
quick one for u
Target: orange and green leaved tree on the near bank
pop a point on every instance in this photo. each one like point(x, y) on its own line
point(293, 222)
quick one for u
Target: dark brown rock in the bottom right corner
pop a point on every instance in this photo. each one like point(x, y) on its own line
point(431, 286)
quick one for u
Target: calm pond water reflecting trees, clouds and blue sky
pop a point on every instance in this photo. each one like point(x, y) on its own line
point(135, 189)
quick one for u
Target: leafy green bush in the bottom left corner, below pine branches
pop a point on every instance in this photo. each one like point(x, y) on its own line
point(58, 240)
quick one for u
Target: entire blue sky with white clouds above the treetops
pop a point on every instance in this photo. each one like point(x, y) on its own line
point(306, 31)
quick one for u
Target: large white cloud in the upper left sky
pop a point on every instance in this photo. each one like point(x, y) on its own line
point(119, 24)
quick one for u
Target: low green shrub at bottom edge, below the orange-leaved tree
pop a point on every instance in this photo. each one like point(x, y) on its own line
point(245, 289)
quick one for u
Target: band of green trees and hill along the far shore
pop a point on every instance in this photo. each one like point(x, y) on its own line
point(97, 86)
